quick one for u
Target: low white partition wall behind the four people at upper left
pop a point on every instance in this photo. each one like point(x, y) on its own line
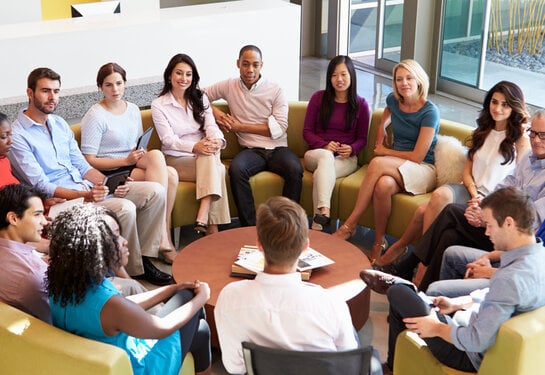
point(144, 42)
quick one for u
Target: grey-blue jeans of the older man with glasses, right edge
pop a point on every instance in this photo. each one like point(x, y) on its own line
point(453, 268)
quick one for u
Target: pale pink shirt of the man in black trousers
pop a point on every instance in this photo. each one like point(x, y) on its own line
point(263, 103)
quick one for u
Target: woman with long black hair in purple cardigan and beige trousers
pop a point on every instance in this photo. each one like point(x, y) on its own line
point(335, 129)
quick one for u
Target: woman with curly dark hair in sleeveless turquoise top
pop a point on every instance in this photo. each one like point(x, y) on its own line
point(85, 244)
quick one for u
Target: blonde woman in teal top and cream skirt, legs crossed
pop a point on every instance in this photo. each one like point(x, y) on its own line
point(407, 165)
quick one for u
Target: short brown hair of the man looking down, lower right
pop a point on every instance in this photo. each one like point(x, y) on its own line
point(515, 203)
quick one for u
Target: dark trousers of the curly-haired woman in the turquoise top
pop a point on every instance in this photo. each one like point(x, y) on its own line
point(195, 334)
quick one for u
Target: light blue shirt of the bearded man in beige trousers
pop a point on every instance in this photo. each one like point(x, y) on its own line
point(47, 159)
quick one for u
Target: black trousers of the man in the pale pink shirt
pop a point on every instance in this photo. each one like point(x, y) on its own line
point(251, 161)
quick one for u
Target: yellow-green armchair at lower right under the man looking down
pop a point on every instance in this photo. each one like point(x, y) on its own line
point(517, 351)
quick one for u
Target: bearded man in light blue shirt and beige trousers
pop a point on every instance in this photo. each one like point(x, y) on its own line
point(45, 154)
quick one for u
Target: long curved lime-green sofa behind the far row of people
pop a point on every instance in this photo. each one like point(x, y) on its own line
point(266, 184)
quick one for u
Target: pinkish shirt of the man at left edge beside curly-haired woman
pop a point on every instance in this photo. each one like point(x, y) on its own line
point(22, 275)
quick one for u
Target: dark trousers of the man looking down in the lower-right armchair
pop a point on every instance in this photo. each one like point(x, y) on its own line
point(405, 303)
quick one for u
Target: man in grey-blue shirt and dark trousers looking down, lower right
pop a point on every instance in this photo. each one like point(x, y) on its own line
point(516, 287)
